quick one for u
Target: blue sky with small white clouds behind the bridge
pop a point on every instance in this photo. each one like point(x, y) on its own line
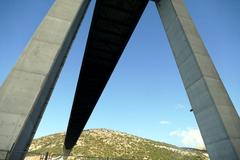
point(145, 95)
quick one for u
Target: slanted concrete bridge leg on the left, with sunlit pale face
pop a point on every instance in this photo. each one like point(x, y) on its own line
point(25, 93)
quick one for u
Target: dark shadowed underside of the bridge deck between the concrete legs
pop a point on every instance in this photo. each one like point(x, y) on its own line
point(112, 25)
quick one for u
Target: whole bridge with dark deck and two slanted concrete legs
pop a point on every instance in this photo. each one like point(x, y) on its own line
point(113, 23)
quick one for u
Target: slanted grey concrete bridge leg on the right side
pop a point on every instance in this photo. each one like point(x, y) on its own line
point(215, 114)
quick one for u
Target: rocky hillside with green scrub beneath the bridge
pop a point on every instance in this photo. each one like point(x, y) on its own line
point(105, 143)
